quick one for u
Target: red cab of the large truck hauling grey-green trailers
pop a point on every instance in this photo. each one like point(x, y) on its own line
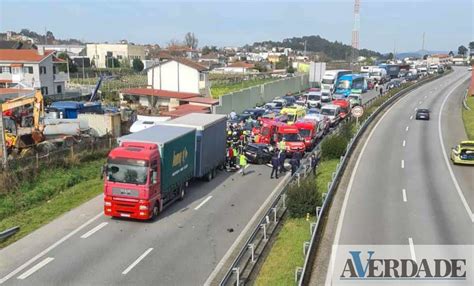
point(131, 183)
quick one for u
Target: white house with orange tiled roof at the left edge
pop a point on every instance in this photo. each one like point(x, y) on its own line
point(32, 69)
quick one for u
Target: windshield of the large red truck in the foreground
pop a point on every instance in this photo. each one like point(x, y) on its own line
point(127, 171)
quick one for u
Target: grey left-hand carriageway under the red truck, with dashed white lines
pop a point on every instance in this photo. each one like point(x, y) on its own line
point(182, 247)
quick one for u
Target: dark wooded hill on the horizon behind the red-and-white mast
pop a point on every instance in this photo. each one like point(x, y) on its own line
point(334, 50)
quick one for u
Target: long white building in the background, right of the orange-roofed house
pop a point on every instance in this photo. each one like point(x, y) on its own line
point(124, 53)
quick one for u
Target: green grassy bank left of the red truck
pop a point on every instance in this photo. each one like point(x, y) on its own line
point(48, 196)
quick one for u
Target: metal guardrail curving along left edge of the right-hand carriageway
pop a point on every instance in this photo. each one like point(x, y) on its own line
point(302, 275)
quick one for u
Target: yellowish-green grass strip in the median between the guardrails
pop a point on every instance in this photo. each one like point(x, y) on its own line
point(287, 251)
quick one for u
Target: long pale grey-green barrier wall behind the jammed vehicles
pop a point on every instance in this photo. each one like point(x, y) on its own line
point(250, 97)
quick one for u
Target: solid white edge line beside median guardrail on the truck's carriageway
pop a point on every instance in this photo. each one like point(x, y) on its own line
point(238, 240)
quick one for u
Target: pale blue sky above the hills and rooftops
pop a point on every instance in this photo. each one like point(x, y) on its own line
point(385, 26)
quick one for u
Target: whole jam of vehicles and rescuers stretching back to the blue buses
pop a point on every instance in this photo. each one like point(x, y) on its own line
point(291, 125)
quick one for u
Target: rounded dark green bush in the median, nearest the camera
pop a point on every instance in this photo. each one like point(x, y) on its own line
point(303, 199)
